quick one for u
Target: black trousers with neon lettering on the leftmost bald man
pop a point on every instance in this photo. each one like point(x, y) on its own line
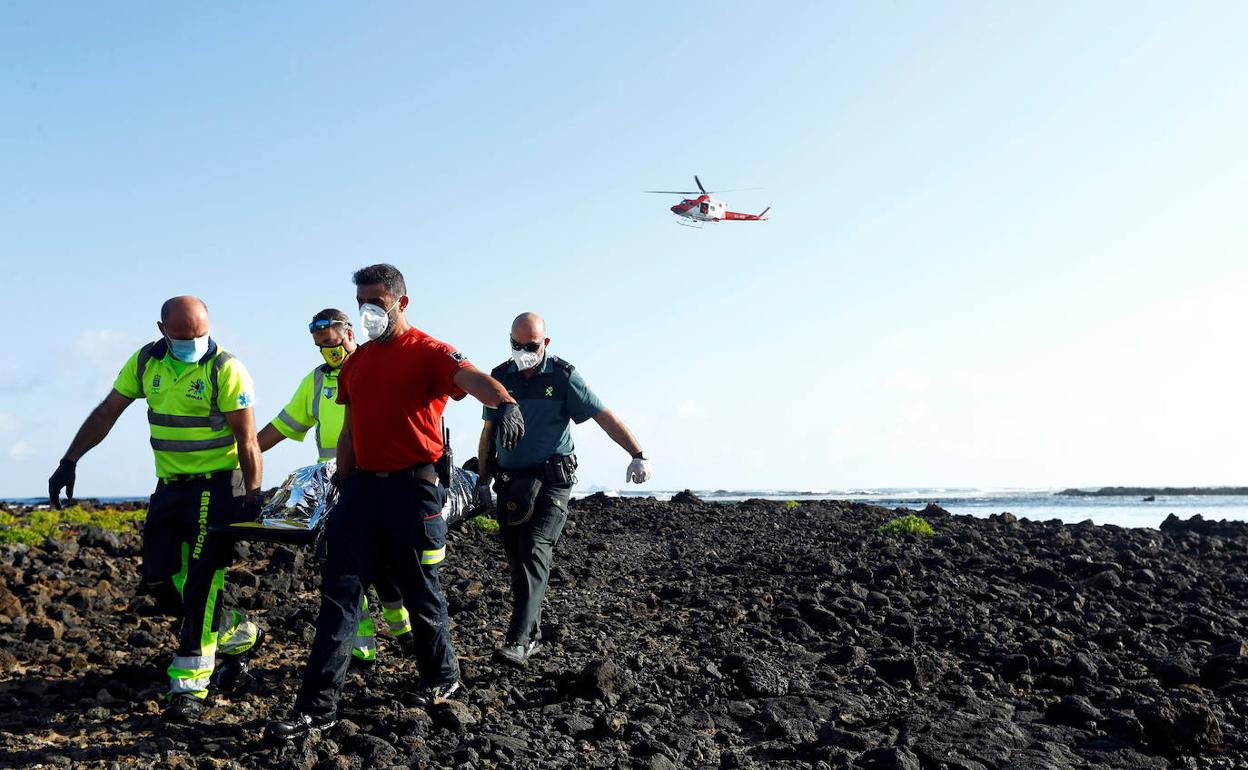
point(184, 567)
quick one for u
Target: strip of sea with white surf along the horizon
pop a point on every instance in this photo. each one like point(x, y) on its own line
point(1036, 505)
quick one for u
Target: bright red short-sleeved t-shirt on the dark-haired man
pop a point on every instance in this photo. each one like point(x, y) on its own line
point(397, 390)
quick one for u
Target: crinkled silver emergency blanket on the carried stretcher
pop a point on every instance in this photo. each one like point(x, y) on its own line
point(300, 507)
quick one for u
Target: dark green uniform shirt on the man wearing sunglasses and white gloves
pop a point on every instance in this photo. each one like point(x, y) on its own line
point(552, 399)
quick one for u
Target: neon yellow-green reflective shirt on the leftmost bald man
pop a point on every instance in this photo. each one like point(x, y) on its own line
point(187, 406)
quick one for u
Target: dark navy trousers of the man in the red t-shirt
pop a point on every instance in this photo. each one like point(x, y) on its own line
point(395, 521)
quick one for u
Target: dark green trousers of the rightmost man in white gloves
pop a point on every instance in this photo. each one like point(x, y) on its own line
point(530, 547)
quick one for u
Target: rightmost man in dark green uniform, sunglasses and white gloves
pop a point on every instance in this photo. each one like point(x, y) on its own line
point(535, 479)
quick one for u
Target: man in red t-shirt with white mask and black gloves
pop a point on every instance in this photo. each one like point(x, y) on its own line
point(395, 389)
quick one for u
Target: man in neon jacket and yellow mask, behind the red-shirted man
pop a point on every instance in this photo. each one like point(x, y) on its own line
point(315, 406)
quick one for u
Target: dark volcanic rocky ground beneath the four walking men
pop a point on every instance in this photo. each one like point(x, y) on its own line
point(688, 635)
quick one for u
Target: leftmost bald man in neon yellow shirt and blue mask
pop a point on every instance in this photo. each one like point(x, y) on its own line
point(204, 440)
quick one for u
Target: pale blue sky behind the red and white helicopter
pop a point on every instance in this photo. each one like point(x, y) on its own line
point(1008, 245)
